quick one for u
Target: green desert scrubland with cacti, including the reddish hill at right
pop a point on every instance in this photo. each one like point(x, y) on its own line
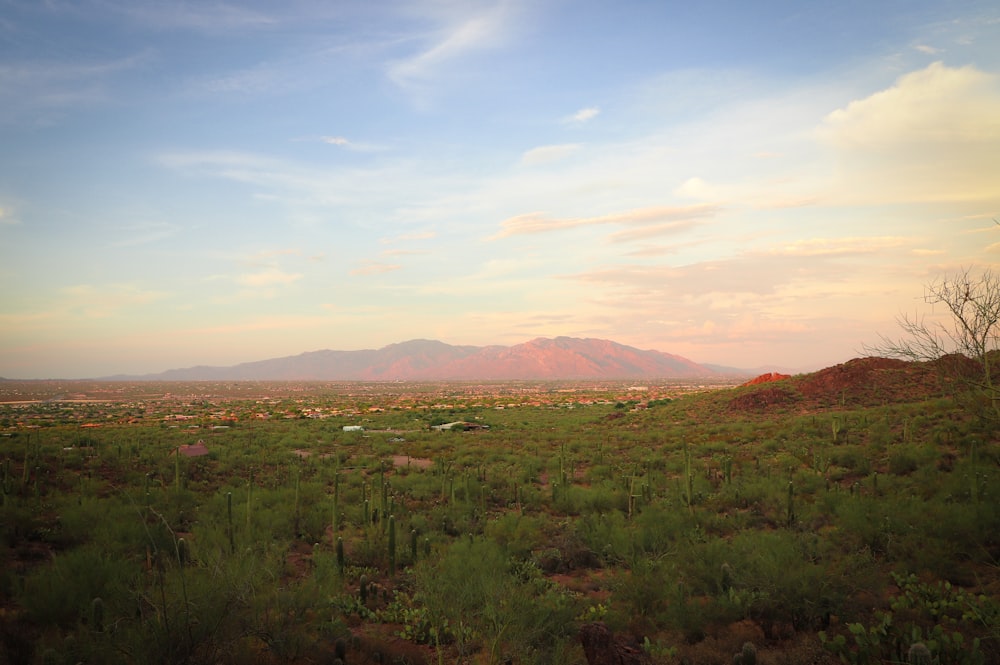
point(845, 516)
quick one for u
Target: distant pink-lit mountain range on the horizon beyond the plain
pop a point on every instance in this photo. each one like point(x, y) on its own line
point(425, 360)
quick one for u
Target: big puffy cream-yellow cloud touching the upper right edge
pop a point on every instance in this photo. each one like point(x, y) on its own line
point(932, 136)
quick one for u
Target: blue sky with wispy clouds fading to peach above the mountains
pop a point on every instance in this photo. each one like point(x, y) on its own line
point(765, 184)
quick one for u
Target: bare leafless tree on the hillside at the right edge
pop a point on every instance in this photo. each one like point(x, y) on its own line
point(971, 332)
